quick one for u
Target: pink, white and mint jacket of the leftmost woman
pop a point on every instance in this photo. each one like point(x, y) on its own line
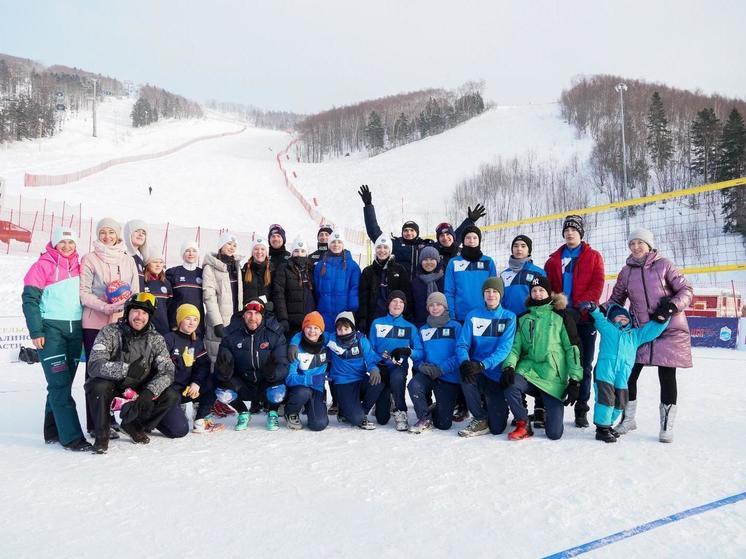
point(51, 291)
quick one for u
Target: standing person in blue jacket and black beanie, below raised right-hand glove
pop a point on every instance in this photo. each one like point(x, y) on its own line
point(465, 275)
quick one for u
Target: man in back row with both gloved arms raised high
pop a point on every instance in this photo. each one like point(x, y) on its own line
point(406, 248)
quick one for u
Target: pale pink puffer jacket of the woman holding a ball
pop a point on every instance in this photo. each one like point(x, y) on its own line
point(97, 269)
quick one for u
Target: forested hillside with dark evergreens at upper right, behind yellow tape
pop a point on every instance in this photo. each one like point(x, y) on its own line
point(674, 138)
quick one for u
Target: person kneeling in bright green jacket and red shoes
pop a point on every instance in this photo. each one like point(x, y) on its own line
point(544, 360)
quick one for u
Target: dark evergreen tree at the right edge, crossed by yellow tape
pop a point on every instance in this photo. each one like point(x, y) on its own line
point(732, 166)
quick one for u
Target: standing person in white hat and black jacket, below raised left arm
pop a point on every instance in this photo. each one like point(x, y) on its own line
point(377, 281)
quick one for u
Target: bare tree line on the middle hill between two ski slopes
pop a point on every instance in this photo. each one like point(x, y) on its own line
point(380, 124)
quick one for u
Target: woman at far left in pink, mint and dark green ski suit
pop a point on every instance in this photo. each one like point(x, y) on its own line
point(51, 306)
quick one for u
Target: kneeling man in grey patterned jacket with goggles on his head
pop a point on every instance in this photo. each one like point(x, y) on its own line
point(131, 354)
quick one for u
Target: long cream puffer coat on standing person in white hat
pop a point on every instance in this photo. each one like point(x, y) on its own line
point(218, 298)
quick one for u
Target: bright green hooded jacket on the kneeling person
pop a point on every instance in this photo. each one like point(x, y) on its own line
point(546, 348)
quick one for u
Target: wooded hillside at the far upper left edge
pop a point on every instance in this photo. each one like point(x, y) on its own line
point(29, 96)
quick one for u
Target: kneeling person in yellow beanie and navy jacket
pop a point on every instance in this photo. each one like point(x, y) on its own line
point(192, 377)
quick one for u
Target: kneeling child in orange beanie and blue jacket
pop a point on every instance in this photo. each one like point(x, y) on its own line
point(307, 376)
